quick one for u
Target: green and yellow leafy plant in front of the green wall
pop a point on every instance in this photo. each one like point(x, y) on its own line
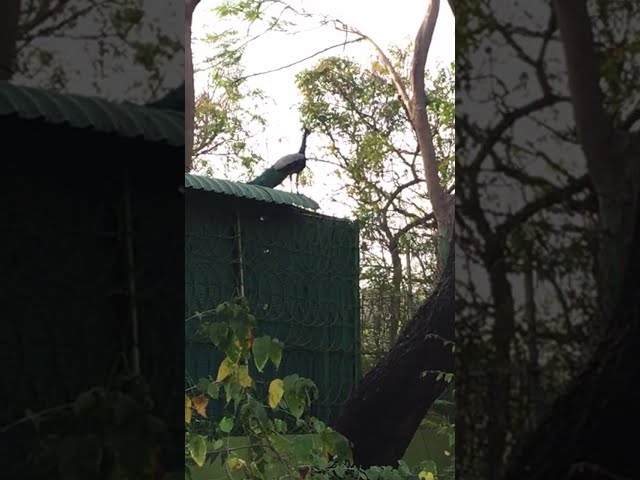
point(282, 439)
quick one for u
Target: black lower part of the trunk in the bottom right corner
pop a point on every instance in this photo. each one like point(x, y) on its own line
point(591, 431)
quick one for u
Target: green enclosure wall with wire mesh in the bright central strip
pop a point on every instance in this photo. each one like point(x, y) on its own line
point(301, 280)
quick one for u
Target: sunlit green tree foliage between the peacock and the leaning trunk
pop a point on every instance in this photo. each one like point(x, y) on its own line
point(372, 147)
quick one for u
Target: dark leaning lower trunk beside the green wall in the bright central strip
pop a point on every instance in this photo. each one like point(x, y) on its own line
point(385, 409)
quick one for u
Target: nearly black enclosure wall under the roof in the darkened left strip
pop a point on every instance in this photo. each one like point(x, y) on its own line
point(64, 295)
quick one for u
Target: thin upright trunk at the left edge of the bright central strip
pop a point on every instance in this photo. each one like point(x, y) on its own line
point(189, 96)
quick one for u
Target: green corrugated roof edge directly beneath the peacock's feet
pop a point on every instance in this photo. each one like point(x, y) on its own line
point(253, 192)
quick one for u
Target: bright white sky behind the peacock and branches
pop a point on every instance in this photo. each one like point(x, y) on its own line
point(382, 20)
